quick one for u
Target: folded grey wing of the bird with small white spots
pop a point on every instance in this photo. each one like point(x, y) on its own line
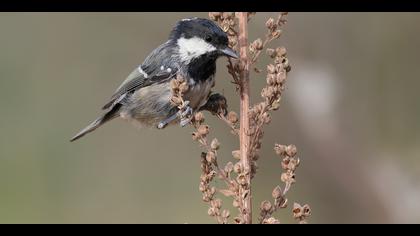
point(139, 79)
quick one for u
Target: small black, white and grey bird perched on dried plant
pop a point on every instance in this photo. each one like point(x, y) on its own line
point(191, 50)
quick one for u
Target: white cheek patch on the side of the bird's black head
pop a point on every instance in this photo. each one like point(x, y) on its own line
point(193, 47)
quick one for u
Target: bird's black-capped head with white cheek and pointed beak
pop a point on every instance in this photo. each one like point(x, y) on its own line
point(197, 37)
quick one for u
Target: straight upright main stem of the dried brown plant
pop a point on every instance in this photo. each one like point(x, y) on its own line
point(244, 115)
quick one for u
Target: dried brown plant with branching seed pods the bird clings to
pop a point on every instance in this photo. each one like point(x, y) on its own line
point(252, 120)
